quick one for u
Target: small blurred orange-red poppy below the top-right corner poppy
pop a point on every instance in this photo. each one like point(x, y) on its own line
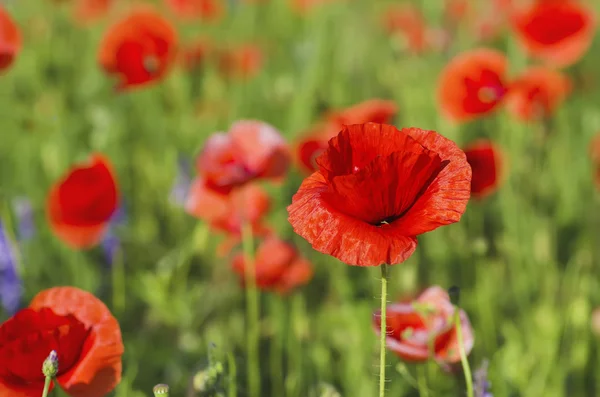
point(537, 93)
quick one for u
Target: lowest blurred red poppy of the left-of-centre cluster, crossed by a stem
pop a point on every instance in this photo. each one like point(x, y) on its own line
point(278, 266)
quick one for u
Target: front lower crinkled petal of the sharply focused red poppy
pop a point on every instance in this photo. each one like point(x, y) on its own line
point(350, 240)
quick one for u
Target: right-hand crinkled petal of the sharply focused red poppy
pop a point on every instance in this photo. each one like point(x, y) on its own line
point(446, 198)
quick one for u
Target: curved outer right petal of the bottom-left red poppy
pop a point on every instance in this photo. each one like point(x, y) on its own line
point(98, 369)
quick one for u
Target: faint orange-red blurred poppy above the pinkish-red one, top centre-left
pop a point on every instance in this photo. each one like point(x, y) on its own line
point(244, 61)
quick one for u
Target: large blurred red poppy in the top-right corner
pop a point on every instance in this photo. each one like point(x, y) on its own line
point(558, 32)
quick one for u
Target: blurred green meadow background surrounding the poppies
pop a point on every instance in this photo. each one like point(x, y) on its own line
point(527, 258)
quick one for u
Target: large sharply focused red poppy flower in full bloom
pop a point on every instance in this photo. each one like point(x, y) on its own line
point(377, 189)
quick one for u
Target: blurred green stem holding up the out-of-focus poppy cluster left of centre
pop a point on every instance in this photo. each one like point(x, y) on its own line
point(252, 312)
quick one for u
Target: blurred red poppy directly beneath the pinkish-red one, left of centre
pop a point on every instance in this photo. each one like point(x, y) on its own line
point(229, 212)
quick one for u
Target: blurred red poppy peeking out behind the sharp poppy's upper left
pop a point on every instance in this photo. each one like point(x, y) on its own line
point(372, 110)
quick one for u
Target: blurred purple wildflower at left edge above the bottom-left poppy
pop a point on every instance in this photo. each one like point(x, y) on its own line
point(11, 286)
